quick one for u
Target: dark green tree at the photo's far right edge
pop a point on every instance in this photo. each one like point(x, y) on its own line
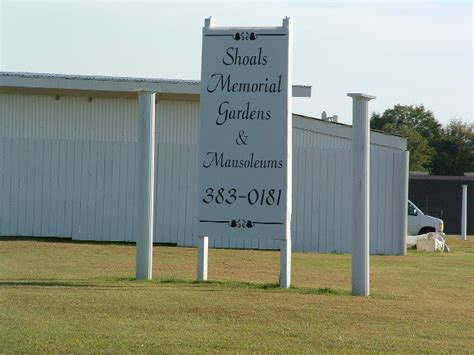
point(455, 149)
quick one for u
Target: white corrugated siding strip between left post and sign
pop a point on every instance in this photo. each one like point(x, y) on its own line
point(176, 137)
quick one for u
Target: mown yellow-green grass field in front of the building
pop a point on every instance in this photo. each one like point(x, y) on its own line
point(81, 297)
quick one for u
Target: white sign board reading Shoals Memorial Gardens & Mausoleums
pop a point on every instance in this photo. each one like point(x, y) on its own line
point(244, 184)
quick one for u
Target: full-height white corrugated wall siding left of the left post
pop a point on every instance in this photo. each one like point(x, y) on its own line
point(67, 166)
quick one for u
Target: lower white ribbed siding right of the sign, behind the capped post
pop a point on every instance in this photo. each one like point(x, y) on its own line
point(322, 200)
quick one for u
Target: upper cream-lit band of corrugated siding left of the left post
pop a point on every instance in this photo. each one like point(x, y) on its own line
point(69, 118)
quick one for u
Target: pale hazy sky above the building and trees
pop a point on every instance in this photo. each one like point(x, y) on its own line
point(406, 53)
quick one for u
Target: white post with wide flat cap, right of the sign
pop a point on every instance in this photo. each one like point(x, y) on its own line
point(360, 193)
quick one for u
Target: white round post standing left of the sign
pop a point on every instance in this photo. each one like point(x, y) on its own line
point(146, 184)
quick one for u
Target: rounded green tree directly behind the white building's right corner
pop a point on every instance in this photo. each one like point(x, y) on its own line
point(418, 125)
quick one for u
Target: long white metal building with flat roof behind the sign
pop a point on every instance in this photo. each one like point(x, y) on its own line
point(68, 147)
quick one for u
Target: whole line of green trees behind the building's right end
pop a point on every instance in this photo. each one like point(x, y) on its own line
point(435, 149)
